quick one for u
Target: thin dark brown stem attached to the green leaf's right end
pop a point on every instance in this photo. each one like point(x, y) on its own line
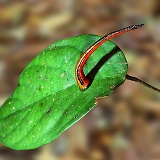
point(135, 79)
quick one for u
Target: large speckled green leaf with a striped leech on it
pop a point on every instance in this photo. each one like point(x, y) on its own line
point(47, 99)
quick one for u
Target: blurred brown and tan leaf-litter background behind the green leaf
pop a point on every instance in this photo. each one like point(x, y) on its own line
point(124, 126)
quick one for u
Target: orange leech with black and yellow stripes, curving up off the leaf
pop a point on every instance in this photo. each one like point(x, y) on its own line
point(82, 81)
